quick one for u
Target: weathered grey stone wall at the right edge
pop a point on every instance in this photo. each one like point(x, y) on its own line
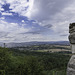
point(71, 64)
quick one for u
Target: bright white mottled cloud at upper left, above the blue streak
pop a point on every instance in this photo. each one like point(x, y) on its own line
point(22, 7)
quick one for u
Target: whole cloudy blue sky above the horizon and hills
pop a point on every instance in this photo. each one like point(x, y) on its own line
point(35, 20)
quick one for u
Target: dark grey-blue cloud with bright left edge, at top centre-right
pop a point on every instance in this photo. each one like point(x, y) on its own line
point(43, 10)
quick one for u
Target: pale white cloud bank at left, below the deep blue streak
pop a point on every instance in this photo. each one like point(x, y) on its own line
point(11, 31)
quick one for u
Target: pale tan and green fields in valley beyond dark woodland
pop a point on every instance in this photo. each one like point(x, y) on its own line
point(54, 48)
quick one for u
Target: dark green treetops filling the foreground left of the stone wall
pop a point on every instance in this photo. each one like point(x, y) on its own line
point(16, 62)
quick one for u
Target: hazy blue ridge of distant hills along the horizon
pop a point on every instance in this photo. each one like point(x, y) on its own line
point(36, 43)
